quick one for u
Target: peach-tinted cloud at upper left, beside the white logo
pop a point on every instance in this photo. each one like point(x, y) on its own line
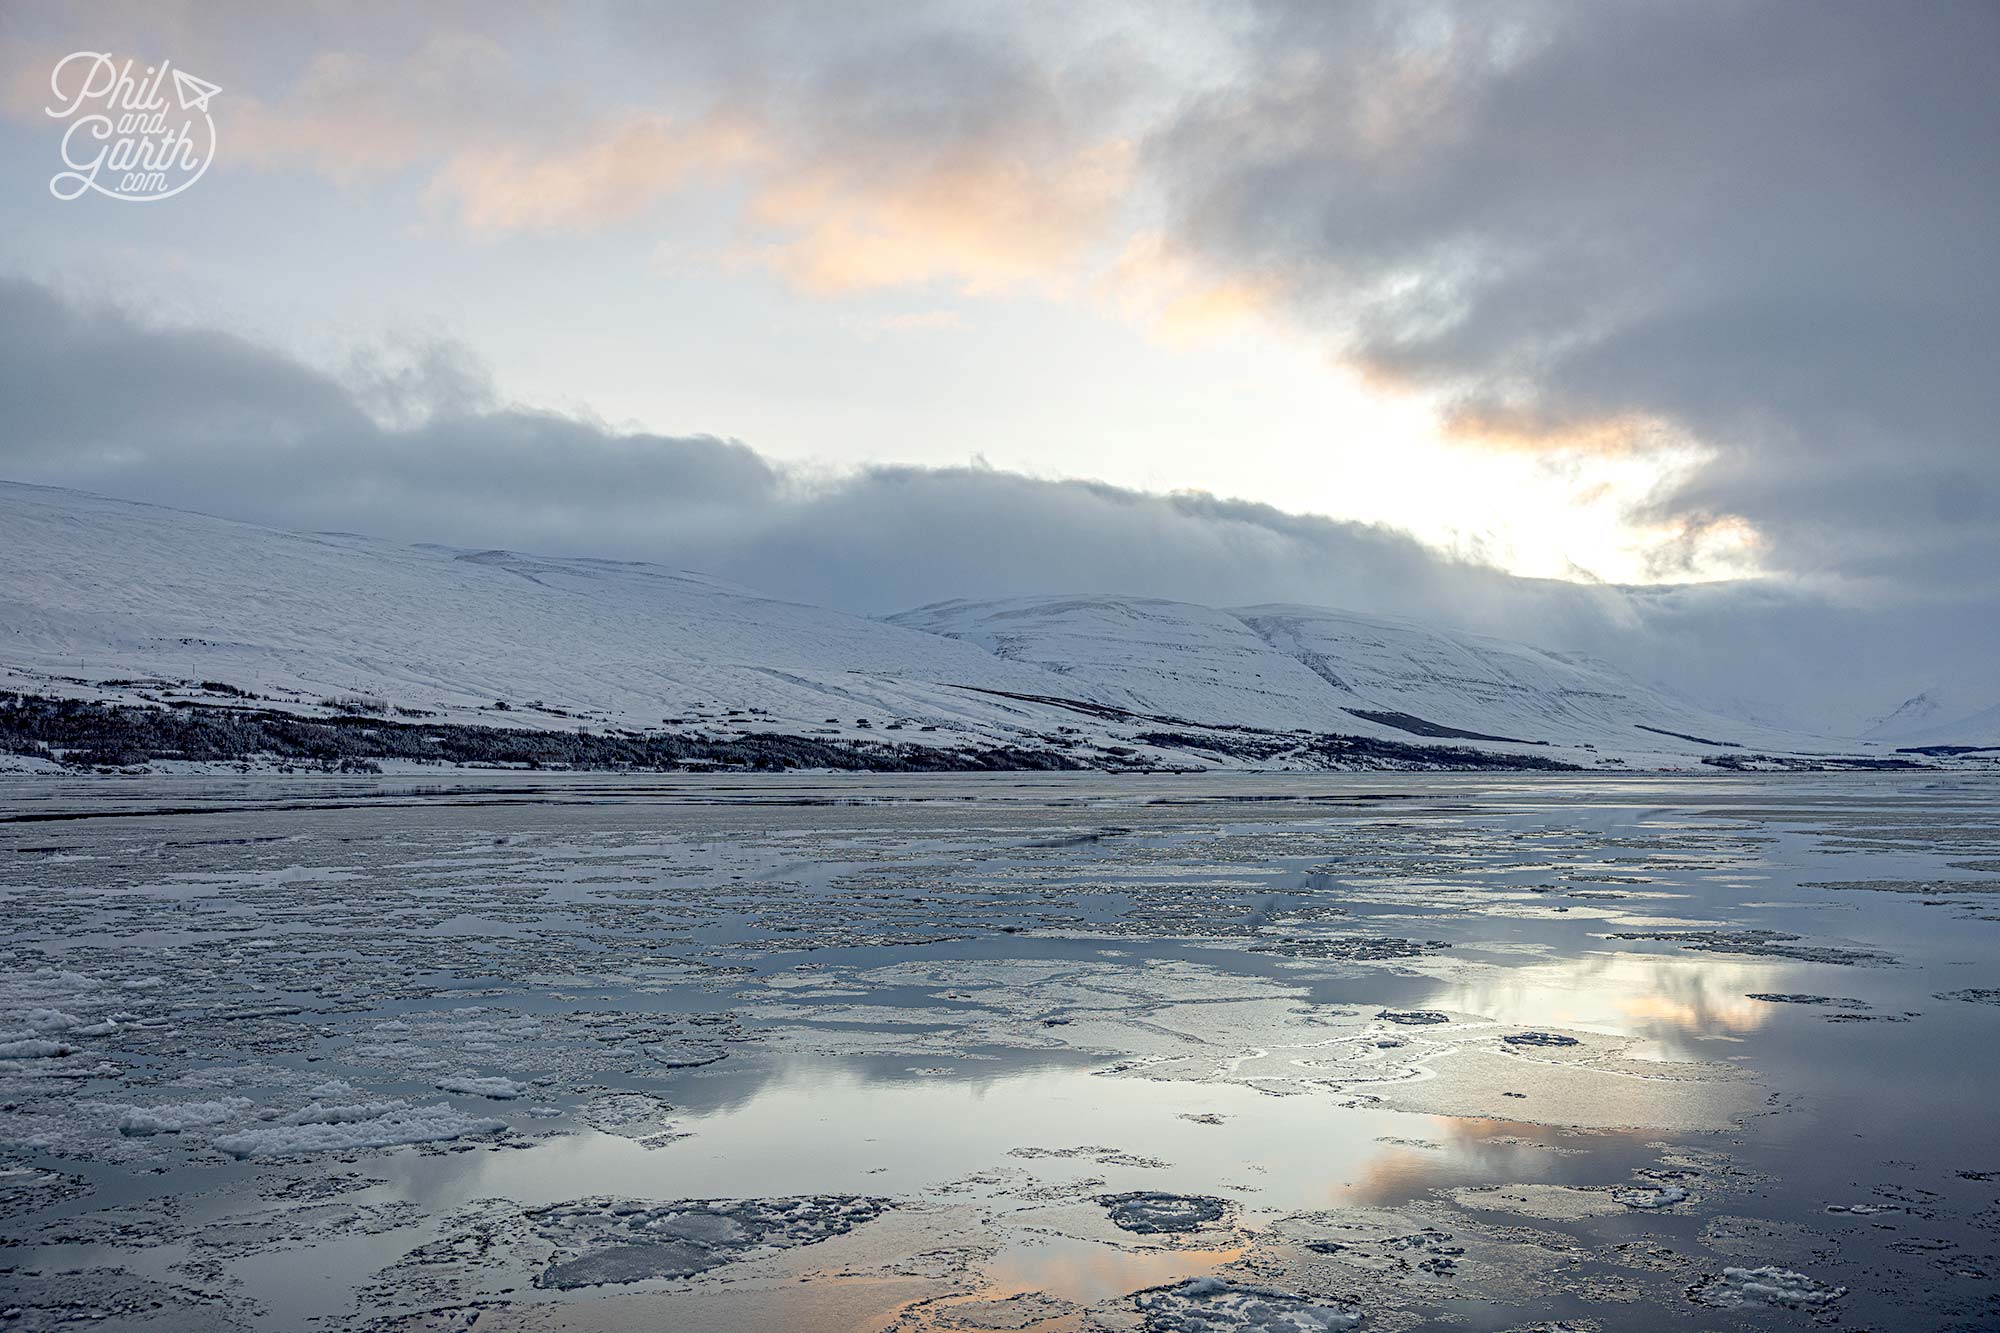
point(859, 149)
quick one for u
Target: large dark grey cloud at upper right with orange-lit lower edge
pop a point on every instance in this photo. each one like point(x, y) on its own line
point(1763, 229)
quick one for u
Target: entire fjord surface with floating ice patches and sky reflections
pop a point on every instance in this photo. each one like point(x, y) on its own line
point(1001, 1054)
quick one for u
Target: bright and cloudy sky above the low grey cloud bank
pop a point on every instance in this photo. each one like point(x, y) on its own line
point(1565, 293)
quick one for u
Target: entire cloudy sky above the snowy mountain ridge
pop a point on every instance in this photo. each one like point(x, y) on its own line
point(1657, 331)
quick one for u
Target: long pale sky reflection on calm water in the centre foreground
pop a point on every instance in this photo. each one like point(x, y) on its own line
point(817, 1128)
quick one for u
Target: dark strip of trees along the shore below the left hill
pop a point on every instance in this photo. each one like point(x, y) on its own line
point(97, 736)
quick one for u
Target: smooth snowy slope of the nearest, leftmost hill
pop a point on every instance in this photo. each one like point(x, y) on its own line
point(103, 589)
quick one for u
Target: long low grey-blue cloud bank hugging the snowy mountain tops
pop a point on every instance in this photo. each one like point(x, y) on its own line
point(415, 445)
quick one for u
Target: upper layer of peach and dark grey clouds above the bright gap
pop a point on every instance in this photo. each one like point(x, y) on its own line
point(1759, 235)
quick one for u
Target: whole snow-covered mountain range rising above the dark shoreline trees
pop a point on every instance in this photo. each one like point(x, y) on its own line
point(107, 599)
